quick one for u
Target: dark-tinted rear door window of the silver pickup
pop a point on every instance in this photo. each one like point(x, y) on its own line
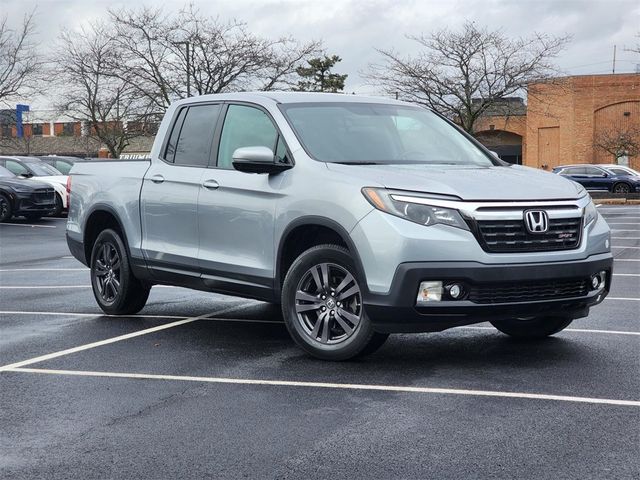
point(193, 143)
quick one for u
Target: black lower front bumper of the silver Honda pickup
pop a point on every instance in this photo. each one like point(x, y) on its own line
point(397, 312)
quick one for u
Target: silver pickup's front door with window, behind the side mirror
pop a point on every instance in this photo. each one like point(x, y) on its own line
point(236, 210)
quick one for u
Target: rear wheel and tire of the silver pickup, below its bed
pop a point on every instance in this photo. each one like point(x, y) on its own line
point(115, 288)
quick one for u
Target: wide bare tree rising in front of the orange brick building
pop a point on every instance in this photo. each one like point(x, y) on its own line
point(461, 74)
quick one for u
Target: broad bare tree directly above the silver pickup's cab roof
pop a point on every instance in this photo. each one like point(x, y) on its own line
point(169, 57)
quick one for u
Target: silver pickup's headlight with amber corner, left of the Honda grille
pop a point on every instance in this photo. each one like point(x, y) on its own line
point(413, 208)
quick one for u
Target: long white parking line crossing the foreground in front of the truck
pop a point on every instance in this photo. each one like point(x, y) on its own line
point(336, 386)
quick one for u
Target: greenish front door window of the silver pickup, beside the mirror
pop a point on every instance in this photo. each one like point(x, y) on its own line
point(244, 127)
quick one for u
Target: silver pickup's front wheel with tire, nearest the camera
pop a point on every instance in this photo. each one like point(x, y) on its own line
point(322, 306)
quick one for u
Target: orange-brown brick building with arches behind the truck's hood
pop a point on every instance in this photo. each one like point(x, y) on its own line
point(564, 120)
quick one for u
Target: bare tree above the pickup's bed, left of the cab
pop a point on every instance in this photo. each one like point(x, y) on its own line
point(93, 95)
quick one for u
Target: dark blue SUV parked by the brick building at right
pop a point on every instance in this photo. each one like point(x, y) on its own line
point(612, 178)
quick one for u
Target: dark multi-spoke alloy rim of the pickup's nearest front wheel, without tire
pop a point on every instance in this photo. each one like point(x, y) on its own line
point(328, 303)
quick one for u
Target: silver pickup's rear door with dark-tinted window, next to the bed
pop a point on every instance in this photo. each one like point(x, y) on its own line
point(169, 197)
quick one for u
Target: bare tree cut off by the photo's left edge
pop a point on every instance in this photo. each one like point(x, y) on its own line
point(20, 62)
